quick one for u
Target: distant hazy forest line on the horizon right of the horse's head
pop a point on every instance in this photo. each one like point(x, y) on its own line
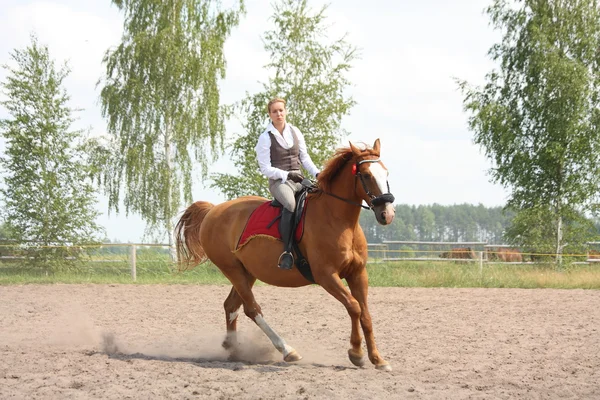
point(437, 223)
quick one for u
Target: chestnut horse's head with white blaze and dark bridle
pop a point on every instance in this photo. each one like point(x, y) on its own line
point(374, 187)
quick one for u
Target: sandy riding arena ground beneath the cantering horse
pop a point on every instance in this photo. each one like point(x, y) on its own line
point(150, 342)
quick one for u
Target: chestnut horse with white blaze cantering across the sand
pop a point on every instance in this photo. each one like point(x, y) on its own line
point(333, 243)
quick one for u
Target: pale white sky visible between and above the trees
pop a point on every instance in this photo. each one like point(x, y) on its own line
point(404, 84)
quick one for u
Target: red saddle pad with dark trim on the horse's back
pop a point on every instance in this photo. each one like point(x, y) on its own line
point(258, 223)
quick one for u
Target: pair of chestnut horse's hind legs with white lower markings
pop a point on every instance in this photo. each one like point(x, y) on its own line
point(241, 293)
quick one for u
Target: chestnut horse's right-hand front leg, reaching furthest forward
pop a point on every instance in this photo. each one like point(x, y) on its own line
point(359, 286)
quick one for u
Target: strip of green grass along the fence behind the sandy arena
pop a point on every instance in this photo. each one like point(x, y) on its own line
point(155, 268)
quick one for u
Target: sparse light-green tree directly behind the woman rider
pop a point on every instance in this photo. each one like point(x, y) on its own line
point(310, 73)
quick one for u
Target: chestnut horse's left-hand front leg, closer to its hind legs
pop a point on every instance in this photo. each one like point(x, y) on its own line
point(334, 286)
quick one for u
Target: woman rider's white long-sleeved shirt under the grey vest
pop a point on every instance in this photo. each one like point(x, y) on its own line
point(263, 152)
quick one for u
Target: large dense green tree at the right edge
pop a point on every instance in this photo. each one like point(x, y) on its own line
point(537, 117)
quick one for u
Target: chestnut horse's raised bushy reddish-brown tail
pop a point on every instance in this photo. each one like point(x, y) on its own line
point(190, 252)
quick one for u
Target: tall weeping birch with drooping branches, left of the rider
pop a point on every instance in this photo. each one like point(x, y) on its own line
point(160, 96)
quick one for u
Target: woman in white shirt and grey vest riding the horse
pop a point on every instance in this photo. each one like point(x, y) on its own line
point(280, 152)
